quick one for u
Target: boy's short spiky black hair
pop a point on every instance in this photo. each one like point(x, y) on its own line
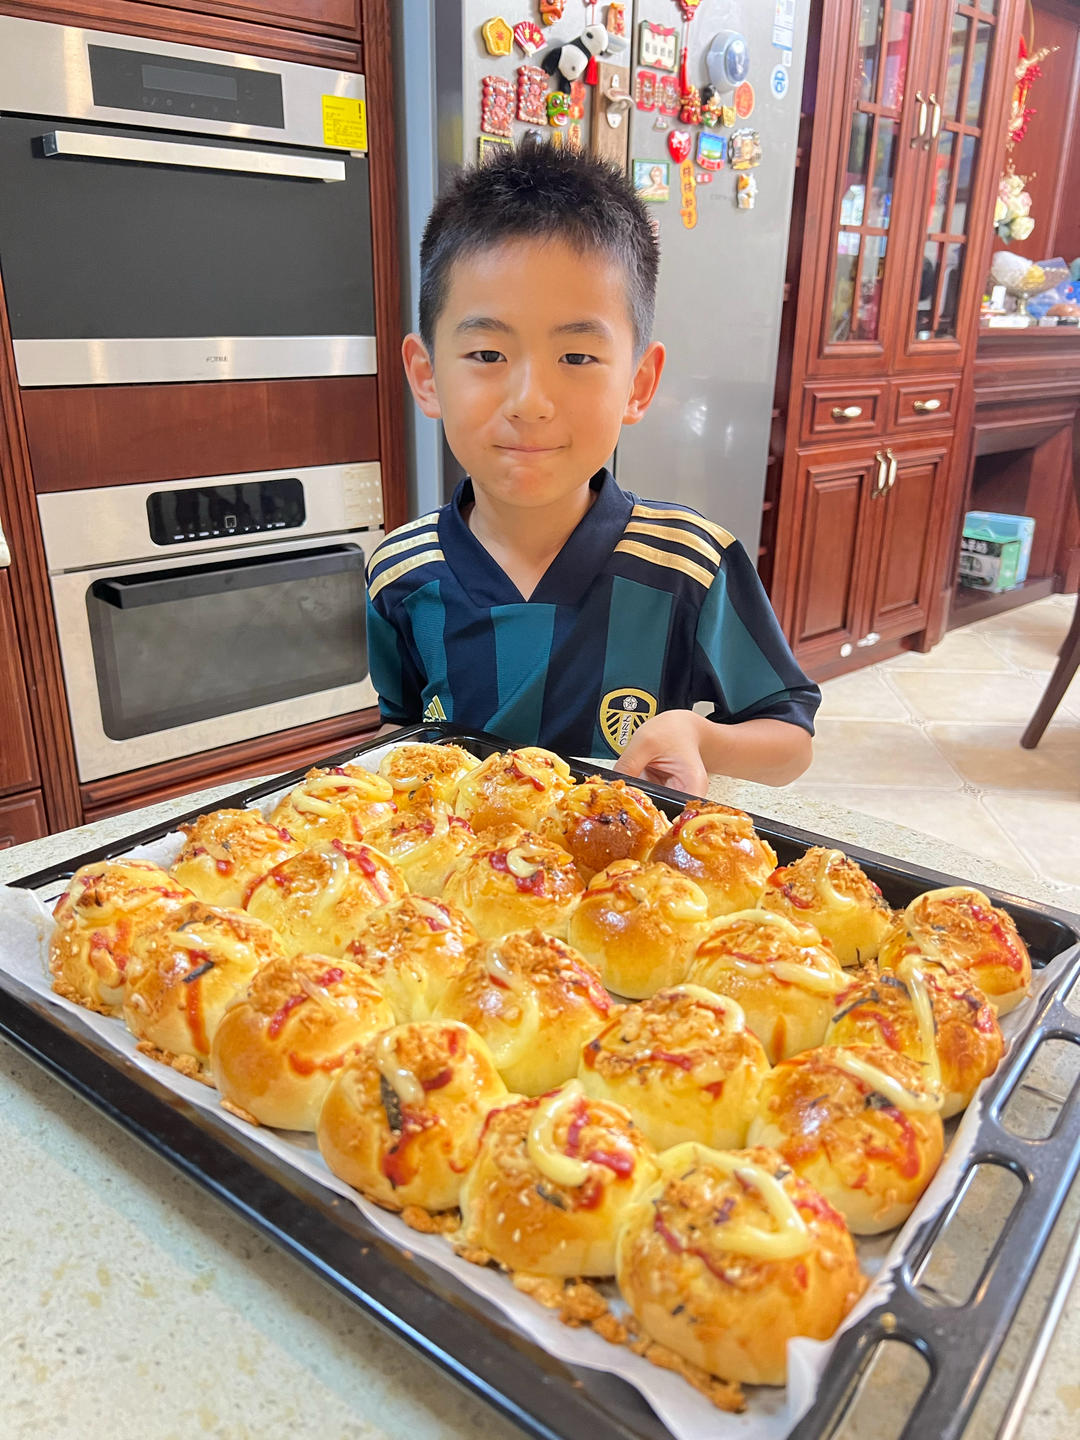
point(534, 191)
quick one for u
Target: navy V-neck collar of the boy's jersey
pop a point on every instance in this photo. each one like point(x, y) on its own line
point(585, 554)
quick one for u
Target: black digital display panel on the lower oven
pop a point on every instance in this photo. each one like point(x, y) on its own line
point(218, 512)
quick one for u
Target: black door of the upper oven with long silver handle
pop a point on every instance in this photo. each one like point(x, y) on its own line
point(138, 256)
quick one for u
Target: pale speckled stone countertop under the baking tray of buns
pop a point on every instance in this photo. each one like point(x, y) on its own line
point(138, 1308)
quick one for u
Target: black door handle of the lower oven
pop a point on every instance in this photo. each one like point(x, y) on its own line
point(186, 582)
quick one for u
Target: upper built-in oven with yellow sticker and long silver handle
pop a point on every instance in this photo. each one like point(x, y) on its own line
point(178, 214)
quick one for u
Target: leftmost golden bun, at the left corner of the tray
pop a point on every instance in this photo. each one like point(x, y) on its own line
point(107, 908)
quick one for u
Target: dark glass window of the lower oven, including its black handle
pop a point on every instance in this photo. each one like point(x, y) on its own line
point(189, 644)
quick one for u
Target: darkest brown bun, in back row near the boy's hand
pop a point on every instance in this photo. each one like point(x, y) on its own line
point(603, 822)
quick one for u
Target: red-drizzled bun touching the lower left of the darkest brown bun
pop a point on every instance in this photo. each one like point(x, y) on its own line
point(515, 883)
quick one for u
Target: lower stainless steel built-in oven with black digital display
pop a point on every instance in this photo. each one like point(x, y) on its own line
point(199, 613)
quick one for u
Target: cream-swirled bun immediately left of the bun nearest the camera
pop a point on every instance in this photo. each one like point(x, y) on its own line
point(551, 1183)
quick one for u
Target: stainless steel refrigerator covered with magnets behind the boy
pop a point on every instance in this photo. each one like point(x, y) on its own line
point(705, 443)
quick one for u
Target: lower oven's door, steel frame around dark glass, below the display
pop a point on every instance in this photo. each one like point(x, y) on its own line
point(191, 656)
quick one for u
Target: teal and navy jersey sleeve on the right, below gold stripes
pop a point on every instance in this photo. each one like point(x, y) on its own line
point(742, 660)
